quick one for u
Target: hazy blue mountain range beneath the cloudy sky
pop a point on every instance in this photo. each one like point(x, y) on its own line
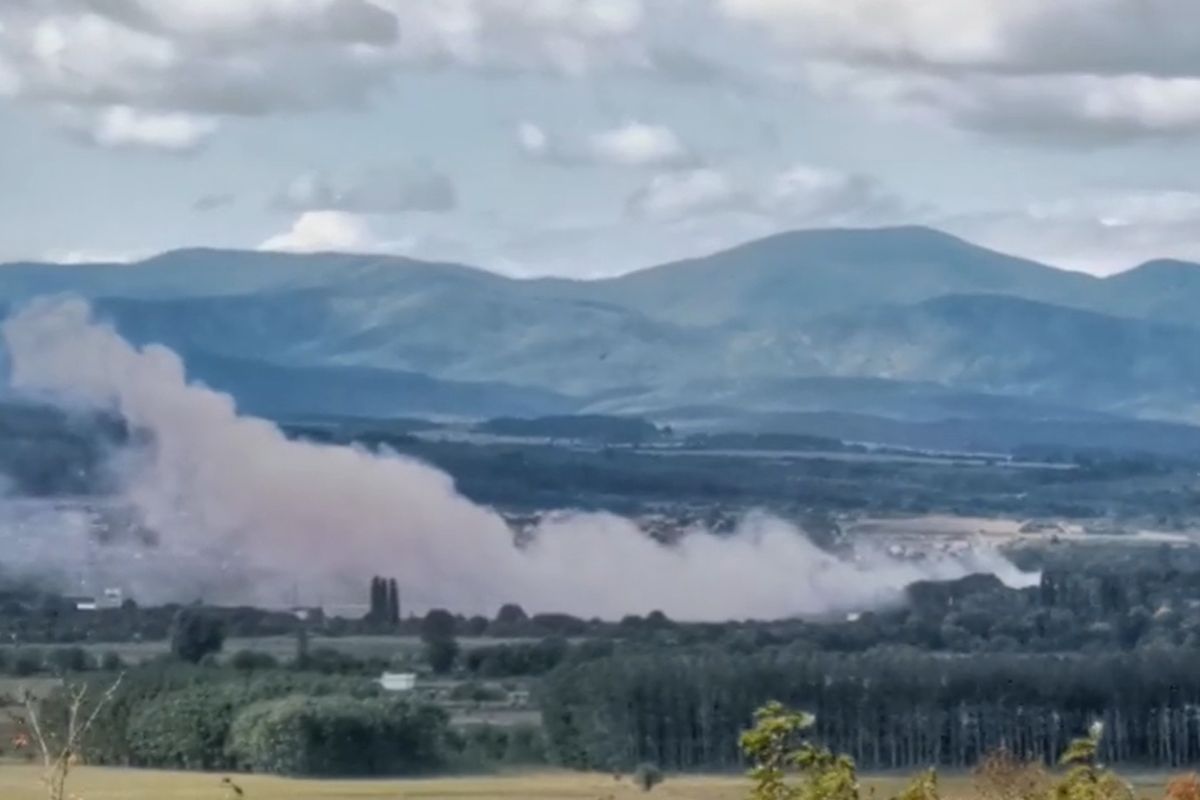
point(899, 323)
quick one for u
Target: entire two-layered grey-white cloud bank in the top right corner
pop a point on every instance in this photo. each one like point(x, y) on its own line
point(1099, 71)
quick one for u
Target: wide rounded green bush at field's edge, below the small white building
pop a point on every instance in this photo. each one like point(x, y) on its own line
point(338, 737)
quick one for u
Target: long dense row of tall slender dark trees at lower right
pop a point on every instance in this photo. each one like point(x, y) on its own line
point(887, 711)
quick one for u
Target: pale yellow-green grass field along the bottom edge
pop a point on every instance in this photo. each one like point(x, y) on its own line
point(21, 783)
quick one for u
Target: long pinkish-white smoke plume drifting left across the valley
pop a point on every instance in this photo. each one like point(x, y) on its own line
point(245, 514)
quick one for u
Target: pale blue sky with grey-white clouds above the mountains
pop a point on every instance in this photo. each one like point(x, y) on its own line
point(592, 137)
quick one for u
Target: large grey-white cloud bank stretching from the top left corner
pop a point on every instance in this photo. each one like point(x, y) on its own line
point(86, 61)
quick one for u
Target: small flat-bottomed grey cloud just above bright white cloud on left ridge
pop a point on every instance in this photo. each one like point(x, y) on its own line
point(379, 190)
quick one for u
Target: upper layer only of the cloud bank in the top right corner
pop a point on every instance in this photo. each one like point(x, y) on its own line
point(1157, 38)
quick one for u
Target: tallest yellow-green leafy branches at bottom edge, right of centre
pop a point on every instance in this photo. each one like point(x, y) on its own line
point(776, 750)
